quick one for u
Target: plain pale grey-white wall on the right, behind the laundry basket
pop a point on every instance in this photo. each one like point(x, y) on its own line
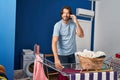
point(107, 26)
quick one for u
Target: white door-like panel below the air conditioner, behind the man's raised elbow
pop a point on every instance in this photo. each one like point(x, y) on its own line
point(84, 43)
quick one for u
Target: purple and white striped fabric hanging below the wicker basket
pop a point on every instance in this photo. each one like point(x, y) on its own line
point(94, 76)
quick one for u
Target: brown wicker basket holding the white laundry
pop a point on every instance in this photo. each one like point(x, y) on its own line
point(91, 63)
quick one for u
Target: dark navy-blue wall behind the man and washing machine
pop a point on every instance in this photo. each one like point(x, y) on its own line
point(35, 20)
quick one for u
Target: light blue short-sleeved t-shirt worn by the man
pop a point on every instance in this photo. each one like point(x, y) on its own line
point(66, 37)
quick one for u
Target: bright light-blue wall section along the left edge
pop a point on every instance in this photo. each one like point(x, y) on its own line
point(7, 35)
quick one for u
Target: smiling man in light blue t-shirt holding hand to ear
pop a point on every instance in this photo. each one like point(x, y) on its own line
point(64, 38)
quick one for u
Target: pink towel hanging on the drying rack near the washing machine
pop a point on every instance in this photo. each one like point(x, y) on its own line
point(38, 73)
